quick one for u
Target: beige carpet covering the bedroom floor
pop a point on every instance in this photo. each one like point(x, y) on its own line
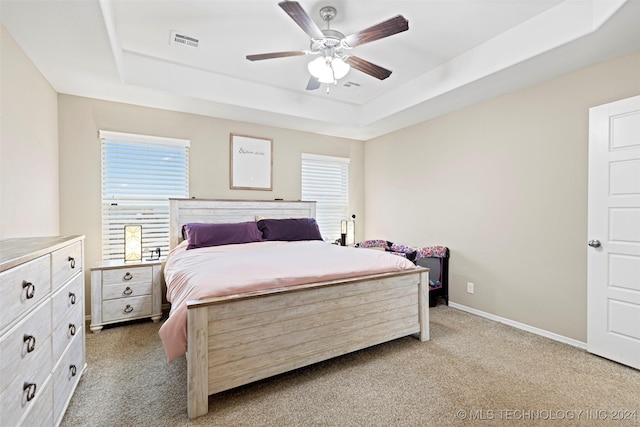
point(473, 371)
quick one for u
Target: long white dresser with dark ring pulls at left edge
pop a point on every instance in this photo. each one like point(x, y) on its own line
point(42, 341)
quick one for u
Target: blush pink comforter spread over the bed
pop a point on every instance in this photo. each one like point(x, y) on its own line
point(233, 269)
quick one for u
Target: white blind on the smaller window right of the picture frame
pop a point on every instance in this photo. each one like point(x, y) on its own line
point(325, 179)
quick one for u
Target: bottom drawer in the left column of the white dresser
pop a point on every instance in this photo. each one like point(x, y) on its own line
point(23, 392)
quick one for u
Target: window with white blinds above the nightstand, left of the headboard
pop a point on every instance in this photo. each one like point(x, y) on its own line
point(139, 175)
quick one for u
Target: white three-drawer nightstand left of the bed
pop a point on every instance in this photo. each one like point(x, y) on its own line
point(122, 291)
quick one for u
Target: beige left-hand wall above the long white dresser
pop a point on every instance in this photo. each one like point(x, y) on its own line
point(28, 146)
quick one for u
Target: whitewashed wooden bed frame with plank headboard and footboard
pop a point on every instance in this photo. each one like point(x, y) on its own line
point(239, 338)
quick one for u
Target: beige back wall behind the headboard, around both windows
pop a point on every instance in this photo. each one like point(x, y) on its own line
point(80, 119)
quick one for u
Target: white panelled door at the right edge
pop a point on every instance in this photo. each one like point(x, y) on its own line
point(613, 323)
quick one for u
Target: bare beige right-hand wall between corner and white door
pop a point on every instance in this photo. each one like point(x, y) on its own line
point(503, 184)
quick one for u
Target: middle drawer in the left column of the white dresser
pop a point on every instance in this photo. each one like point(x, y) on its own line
point(24, 343)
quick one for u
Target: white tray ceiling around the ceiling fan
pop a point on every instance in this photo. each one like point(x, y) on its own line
point(455, 53)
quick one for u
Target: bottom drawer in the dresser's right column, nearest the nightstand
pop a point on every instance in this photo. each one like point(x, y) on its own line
point(66, 375)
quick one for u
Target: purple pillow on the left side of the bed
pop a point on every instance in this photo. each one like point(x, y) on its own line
point(202, 235)
